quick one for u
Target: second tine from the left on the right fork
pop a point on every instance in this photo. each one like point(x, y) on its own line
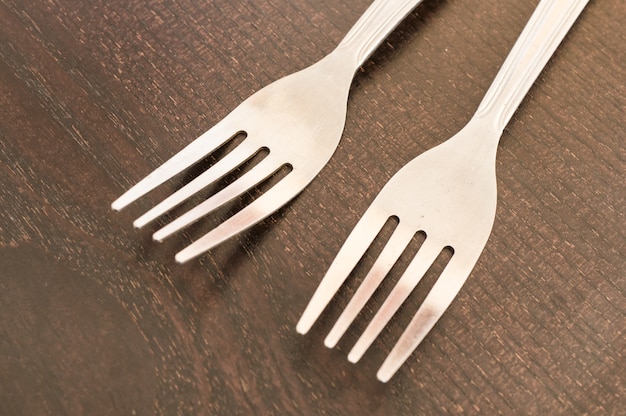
point(398, 241)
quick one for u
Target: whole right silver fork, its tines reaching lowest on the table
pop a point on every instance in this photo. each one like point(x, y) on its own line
point(448, 193)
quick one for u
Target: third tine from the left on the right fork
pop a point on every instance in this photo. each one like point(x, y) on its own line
point(422, 261)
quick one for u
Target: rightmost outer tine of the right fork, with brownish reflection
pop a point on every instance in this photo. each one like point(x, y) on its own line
point(441, 295)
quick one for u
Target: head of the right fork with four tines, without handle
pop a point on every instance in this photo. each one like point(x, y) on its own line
point(448, 193)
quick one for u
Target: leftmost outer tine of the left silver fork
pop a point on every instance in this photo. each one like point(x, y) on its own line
point(192, 153)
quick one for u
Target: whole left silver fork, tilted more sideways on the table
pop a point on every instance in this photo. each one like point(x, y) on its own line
point(298, 119)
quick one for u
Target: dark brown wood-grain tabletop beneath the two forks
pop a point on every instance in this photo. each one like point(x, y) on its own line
point(95, 318)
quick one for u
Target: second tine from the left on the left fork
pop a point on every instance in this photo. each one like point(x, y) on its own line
point(232, 160)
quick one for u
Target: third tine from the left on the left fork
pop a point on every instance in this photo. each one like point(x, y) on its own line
point(254, 176)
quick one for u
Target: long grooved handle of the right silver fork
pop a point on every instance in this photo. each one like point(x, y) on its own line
point(539, 39)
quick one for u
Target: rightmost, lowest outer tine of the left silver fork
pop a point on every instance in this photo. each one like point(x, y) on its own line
point(277, 196)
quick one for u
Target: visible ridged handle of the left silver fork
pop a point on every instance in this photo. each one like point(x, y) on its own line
point(380, 18)
